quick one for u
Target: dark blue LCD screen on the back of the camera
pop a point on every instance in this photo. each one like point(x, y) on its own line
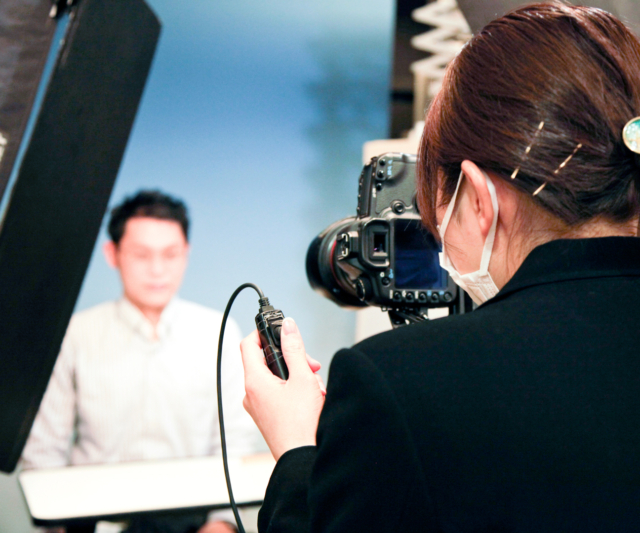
point(416, 258)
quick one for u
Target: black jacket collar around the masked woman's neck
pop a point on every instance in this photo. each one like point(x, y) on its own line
point(572, 259)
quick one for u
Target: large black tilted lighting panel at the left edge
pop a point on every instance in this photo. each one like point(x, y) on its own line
point(71, 79)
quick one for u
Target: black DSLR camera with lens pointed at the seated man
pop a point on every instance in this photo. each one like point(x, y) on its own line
point(382, 256)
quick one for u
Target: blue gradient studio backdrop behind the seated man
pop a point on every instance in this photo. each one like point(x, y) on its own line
point(255, 114)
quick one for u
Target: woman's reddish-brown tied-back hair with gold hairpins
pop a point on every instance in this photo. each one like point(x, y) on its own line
point(575, 68)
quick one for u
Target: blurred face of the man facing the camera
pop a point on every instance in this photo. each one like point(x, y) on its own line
point(151, 257)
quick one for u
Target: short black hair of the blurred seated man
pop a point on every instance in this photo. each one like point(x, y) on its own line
point(152, 204)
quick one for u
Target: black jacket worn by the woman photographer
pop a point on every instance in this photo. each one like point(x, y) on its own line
point(523, 416)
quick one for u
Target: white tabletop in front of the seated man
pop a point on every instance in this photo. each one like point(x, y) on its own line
point(103, 492)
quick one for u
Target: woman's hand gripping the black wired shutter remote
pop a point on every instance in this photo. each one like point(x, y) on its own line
point(286, 412)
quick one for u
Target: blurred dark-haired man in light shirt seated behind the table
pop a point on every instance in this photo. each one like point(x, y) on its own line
point(136, 378)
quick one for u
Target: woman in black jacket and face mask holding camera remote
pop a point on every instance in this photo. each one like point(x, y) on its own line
point(524, 415)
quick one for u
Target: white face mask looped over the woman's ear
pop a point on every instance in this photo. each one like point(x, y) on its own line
point(479, 284)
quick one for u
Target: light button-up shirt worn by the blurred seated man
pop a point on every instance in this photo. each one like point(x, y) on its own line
point(117, 394)
